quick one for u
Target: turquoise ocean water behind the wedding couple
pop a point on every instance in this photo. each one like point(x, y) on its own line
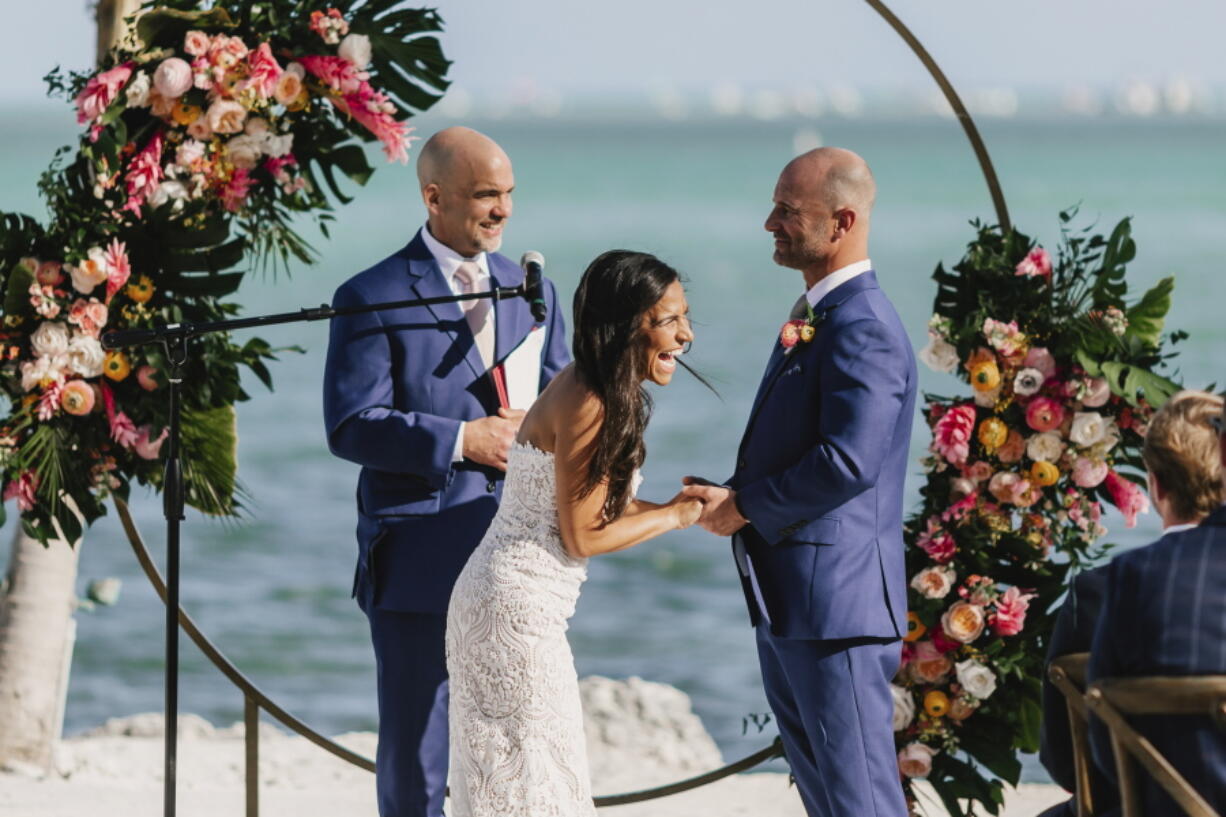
point(273, 591)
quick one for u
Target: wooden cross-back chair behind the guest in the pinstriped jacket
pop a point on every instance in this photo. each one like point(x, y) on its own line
point(1115, 700)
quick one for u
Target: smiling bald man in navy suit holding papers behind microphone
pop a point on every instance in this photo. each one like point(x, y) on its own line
point(409, 397)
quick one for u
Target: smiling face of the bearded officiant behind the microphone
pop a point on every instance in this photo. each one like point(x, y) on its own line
point(470, 208)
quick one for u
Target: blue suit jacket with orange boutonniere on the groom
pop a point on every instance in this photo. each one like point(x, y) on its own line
point(821, 473)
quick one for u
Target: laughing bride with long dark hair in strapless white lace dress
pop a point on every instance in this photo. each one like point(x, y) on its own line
point(518, 744)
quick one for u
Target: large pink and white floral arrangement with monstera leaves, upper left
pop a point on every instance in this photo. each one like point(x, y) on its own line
point(208, 132)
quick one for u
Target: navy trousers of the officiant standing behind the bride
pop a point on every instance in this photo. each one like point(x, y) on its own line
point(411, 764)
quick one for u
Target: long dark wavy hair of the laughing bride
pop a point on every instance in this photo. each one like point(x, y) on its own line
point(617, 290)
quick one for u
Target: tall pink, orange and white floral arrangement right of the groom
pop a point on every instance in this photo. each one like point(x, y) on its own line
point(1062, 374)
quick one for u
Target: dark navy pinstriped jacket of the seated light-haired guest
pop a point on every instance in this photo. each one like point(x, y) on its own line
point(1165, 614)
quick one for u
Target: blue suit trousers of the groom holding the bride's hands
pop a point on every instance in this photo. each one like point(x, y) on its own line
point(833, 704)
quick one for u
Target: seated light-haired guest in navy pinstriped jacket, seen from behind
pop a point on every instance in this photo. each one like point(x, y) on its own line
point(1164, 613)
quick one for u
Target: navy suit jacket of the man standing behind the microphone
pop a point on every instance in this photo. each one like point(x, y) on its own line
point(398, 387)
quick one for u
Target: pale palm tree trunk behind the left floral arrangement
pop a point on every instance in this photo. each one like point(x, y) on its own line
point(37, 598)
